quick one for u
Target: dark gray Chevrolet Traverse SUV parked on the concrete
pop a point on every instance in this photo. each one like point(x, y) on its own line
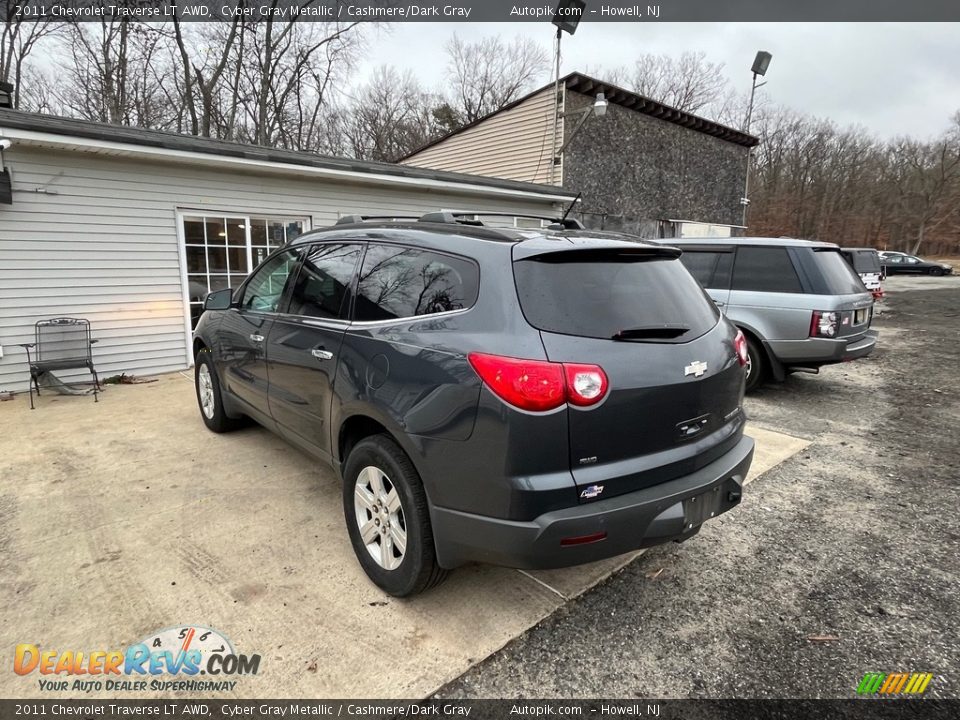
point(534, 399)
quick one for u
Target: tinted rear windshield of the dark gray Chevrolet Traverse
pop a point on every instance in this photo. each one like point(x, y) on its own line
point(601, 294)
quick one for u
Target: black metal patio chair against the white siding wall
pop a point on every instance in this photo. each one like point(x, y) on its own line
point(60, 344)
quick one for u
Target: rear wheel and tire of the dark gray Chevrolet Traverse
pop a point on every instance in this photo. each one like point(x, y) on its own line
point(382, 493)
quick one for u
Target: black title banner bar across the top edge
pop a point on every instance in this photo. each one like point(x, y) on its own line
point(487, 10)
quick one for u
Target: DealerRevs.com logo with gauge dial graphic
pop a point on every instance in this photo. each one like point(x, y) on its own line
point(168, 660)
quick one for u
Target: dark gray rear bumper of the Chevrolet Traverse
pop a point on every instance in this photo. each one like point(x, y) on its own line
point(636, 520)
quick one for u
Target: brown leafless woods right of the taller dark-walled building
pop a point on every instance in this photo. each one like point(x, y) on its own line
point(813, 179)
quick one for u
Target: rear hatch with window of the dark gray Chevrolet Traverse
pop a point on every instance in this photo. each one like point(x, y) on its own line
point(675, 384)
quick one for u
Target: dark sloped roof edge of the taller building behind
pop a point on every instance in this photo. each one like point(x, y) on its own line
point(578, 82)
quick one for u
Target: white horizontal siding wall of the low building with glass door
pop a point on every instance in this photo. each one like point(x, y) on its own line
point(95, 236)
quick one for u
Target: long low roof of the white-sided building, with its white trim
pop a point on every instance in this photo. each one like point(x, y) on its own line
point(33, 127)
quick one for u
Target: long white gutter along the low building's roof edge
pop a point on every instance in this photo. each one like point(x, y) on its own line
point(31, 137)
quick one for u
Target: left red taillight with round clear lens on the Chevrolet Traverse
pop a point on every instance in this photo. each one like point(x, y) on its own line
point(540, 385)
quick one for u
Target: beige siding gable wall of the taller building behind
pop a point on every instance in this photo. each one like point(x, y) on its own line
point(513, 144)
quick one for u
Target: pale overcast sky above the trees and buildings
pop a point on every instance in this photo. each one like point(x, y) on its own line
point(892, 78)
